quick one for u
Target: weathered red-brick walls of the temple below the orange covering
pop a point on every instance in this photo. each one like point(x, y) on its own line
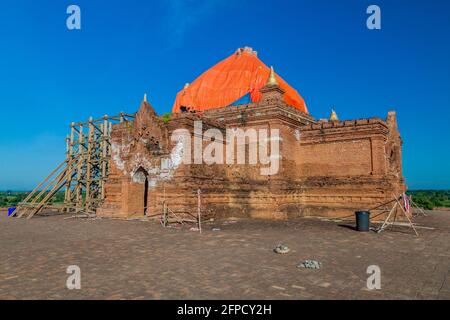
point(327, 168)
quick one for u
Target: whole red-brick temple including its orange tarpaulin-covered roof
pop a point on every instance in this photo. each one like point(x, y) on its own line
point(326, 167)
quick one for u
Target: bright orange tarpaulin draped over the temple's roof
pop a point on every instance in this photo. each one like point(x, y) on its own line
point(230, 80)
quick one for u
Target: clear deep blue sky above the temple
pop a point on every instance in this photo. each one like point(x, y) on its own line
point(50, 76)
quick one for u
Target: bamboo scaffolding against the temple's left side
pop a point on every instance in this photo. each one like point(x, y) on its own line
point(83, 173)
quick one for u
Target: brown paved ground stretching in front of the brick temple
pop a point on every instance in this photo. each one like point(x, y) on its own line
point(142, 260)
